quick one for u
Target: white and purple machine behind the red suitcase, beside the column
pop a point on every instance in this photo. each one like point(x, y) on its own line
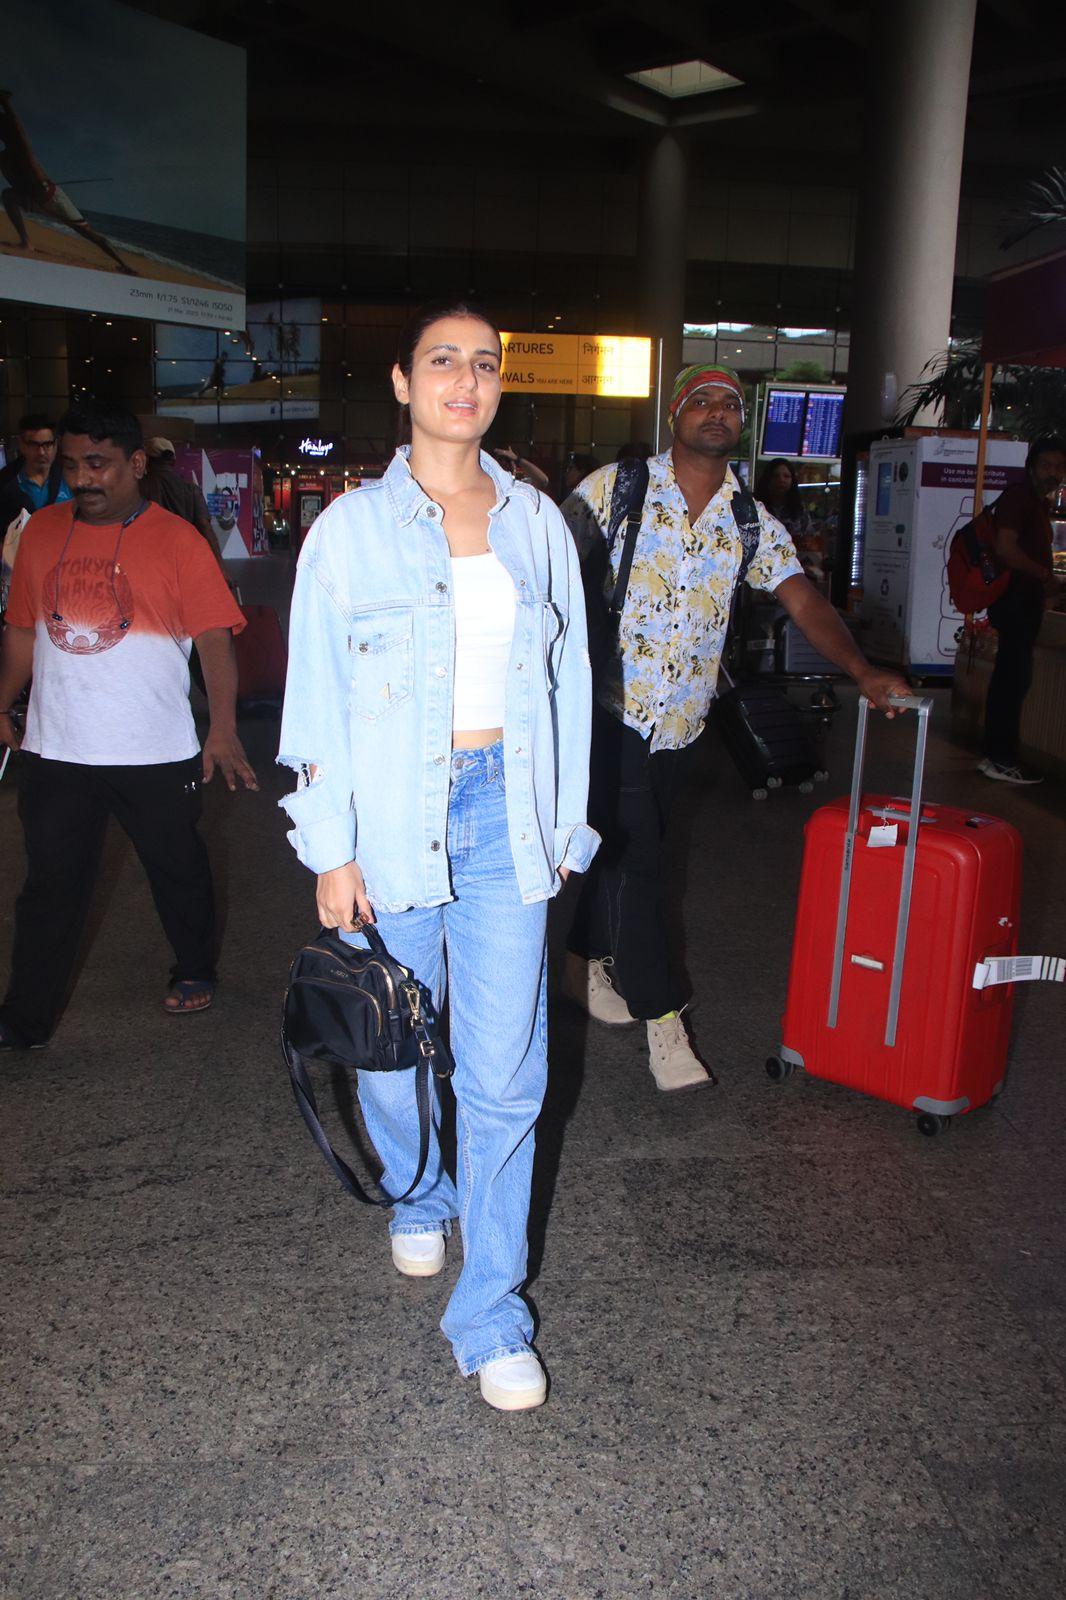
point(918, 494)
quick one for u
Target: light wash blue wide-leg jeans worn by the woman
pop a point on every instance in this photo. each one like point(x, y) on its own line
point(495, 953)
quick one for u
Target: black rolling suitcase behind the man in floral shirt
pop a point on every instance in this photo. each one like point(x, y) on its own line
point(767, 738)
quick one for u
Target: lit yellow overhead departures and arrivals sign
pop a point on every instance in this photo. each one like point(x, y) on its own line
point(577, 364)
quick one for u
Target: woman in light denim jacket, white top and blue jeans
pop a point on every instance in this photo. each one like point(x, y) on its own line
point(438, 711)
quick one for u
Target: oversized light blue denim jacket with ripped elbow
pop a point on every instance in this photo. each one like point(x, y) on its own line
point(371, 684)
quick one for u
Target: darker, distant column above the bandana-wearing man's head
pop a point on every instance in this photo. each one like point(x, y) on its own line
point(663, 257)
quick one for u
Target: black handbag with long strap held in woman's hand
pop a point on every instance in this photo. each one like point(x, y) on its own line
point(361, 1010)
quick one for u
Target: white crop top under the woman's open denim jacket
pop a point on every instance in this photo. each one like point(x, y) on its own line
point(484, 626)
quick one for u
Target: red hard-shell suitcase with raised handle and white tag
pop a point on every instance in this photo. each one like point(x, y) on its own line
point(889, 938)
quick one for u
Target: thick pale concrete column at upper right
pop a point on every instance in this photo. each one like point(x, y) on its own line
point(910, 198)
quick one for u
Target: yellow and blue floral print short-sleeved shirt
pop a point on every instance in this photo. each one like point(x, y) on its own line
point(678, 607)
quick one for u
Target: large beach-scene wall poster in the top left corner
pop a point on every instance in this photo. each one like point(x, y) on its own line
point(122, 164)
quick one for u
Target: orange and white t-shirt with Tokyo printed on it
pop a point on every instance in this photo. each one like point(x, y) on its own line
point(114, 610)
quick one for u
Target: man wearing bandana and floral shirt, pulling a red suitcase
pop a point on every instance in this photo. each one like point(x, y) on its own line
point(654, 695)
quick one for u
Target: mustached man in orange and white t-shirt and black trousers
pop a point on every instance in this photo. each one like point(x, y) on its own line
point(108, 594)
